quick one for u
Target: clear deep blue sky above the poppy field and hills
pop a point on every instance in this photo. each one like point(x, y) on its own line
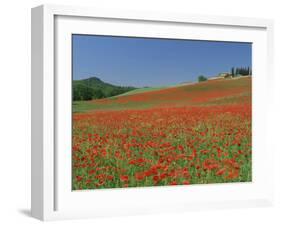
point(154, 62)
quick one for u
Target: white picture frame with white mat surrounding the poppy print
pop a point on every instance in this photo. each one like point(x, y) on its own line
point(52, 197)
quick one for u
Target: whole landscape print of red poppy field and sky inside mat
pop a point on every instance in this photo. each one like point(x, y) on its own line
point(160, 112)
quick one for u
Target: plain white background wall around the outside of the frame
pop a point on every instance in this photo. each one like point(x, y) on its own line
point(15, 111)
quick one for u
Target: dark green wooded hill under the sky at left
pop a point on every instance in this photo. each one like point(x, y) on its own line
point(95, 88)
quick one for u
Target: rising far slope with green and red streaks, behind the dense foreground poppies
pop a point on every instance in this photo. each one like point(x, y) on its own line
point(227, 91)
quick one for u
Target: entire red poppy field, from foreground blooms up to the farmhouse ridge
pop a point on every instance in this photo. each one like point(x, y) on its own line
point(187, 134)
